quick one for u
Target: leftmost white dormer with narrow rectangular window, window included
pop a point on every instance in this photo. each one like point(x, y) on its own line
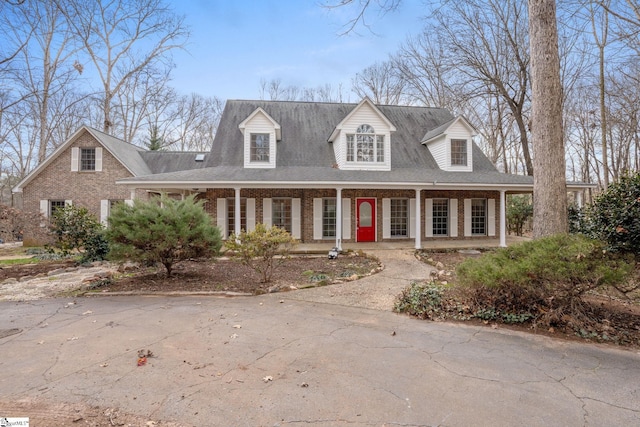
point(260, 132)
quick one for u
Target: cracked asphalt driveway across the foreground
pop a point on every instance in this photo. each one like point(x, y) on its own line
point(278, 360)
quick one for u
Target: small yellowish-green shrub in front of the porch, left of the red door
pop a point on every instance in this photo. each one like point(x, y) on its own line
point(262, 249)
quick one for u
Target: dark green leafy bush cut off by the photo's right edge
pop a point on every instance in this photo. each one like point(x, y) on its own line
point(615, 215)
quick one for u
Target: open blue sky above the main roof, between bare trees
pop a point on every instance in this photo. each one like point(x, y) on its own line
point(236, 43)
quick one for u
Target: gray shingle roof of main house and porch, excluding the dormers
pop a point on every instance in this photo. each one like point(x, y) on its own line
point(305, 155)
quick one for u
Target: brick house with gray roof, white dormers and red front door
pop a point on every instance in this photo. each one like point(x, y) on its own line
point(326, 172)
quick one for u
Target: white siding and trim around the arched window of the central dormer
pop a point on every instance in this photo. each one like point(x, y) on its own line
point(364, 113)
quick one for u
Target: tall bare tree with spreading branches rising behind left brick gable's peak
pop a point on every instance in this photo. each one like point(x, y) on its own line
point(122, 38)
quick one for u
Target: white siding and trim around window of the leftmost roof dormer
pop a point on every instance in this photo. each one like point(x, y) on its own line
point(259, 122)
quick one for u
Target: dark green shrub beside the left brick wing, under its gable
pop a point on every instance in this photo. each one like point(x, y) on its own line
point(77, 230)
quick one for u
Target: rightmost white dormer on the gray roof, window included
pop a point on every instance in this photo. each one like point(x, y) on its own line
point(451, 145)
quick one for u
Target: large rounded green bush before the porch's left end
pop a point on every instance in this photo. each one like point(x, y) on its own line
point(162, 230)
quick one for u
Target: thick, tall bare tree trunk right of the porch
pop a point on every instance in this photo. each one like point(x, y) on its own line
point(549, 179)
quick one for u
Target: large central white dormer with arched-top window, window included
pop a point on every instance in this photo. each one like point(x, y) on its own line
point(362, 140)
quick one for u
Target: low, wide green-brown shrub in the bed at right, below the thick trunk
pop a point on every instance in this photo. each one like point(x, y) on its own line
point(543, 279)
